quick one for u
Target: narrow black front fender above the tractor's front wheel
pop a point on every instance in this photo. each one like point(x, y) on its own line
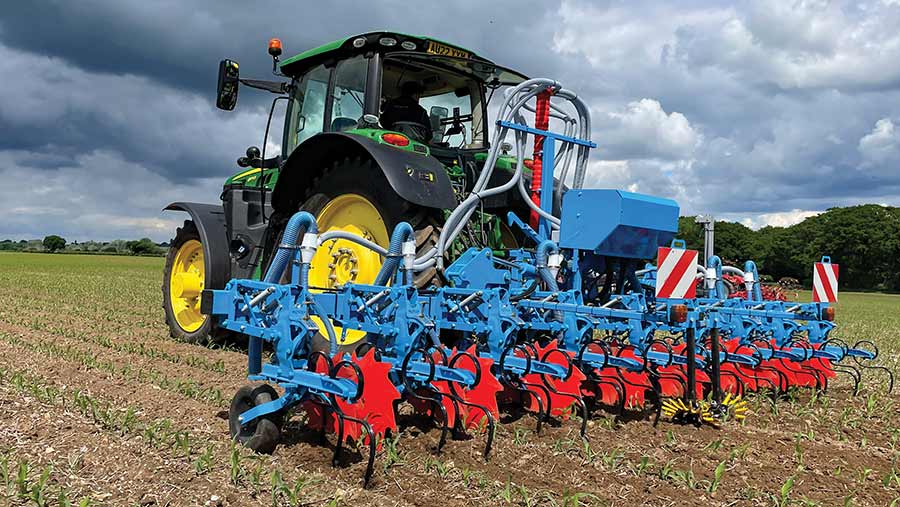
point(210, 222)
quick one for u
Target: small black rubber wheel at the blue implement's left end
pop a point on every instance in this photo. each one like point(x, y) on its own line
point(261, 435)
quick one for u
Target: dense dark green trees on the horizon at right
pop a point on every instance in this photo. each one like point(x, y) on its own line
point(864, 240)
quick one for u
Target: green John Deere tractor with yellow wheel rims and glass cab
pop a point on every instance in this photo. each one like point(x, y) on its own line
point(379, 128)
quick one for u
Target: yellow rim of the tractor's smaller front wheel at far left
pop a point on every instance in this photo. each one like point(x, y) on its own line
point(186, 284)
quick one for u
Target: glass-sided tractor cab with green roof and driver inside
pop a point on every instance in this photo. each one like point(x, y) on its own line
point(357, 85)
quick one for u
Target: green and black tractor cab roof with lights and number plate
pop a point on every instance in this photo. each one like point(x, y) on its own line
point(394, 43)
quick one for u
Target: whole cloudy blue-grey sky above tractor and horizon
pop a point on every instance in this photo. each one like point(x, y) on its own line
point(763, 112)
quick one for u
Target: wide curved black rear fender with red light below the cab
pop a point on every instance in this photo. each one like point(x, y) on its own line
point(415, 177)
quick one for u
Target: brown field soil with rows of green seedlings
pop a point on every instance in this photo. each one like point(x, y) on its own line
point(98, 406)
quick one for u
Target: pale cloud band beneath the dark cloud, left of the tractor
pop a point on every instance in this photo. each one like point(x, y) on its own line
point(100, 196)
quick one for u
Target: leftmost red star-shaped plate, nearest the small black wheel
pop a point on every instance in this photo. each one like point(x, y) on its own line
point(375, 405)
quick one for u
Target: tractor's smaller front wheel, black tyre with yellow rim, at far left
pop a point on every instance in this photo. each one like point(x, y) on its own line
point(183, 281)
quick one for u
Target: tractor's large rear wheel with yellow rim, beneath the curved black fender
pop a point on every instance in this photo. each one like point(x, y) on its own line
point(353, 195)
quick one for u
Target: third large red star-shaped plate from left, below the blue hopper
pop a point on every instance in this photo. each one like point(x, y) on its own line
point(562, 399)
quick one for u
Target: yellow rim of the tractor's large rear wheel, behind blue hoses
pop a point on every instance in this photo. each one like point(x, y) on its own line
point(340, 261)
